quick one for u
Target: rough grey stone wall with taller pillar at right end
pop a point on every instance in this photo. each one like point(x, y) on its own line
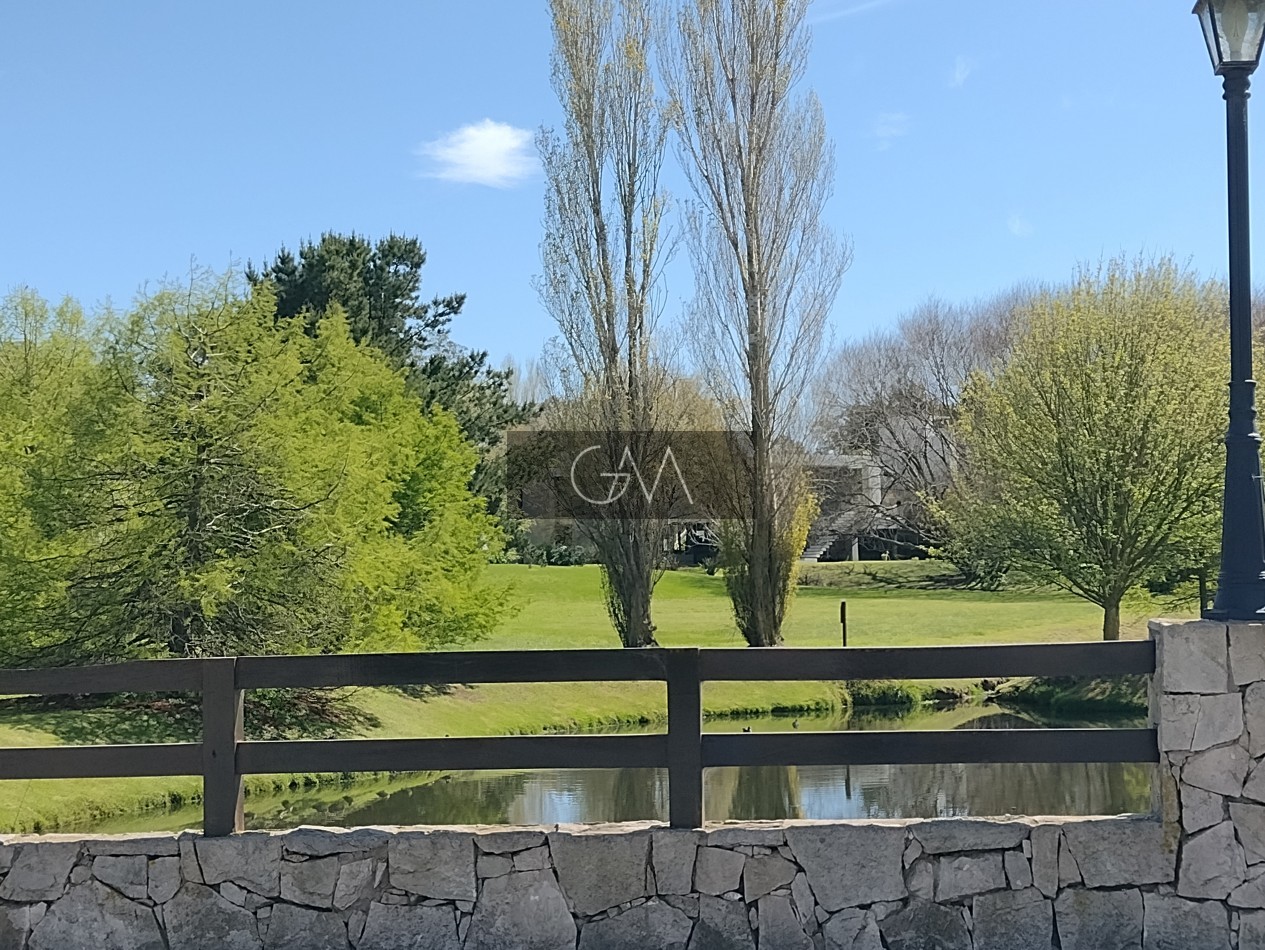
point(1190, 877)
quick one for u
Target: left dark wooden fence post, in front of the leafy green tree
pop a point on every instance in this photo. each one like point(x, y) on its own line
point(223, 801)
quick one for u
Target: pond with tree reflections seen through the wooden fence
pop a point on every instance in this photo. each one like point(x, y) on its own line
point(739, 794)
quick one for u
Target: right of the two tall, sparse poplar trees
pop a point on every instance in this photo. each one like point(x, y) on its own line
point(767, 269)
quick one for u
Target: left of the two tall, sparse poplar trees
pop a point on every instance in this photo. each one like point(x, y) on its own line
point(603, 254)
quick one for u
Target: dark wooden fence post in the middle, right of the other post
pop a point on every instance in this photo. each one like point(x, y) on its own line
point(685, 739)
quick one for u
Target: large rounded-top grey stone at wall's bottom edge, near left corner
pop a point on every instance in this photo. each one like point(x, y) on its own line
point(93, 915)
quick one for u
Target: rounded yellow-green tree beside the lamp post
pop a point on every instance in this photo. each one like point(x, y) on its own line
point(1095, 457)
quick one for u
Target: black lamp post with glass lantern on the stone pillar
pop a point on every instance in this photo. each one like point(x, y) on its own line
point(1235, 31)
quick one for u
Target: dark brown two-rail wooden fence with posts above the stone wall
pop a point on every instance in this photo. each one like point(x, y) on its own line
point(225, 756)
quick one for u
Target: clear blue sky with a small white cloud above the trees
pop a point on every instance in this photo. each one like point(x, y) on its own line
point(978, 144)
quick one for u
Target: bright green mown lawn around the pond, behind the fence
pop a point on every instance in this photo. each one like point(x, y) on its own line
point(889, 604)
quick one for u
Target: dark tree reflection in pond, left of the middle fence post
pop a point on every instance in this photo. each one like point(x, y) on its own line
point(457, 800)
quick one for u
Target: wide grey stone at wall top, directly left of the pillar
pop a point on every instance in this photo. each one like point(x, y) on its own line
point(1120, 852)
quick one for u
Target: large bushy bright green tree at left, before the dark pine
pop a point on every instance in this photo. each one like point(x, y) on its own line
point(233, 484)
